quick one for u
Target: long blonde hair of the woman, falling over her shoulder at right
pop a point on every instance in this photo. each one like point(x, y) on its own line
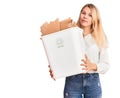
point(96, 28)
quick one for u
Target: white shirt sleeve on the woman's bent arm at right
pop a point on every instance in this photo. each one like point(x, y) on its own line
point(103, 65)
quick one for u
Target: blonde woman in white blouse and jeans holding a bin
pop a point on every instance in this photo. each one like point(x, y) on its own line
point(87, 85)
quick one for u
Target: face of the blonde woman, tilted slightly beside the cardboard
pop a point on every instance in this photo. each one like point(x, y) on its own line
point(86, 17)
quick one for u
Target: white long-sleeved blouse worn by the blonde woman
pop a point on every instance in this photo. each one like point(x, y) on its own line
point(97, 55)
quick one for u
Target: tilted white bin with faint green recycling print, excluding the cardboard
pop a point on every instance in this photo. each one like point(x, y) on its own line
point(64, 50)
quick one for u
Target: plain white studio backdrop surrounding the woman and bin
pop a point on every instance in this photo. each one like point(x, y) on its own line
point(24, 69)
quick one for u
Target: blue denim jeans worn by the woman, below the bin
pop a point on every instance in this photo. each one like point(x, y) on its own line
point(83, 86)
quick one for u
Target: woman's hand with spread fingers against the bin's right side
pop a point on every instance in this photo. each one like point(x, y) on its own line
point(88, 65)
